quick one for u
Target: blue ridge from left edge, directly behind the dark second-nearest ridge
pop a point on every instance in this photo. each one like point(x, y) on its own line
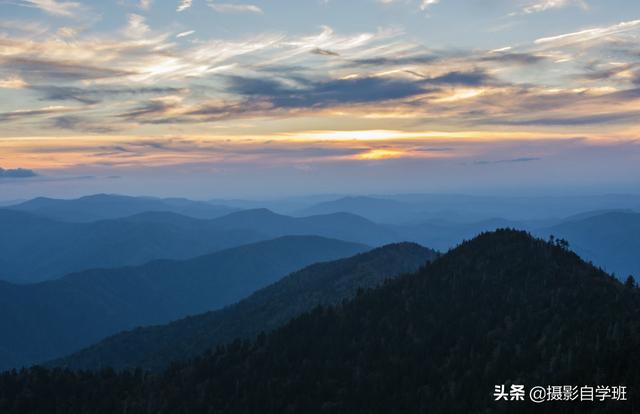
point(54, 318)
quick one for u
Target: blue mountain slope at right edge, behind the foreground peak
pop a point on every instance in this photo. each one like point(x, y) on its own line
point(610, 240)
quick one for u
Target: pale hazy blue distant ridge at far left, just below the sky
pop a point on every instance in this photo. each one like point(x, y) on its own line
point(111, 206)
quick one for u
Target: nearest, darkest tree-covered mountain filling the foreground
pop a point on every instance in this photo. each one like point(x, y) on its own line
point(504, 308)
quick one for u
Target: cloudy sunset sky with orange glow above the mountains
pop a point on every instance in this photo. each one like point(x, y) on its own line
point(267, 98)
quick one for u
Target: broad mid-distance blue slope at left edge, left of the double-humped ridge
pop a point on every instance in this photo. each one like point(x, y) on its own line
point(36, 248)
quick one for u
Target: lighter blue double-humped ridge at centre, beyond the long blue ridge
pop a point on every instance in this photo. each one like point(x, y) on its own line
point(343, 226)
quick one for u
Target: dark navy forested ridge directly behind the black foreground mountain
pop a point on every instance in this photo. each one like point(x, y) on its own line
point(319, 284)
